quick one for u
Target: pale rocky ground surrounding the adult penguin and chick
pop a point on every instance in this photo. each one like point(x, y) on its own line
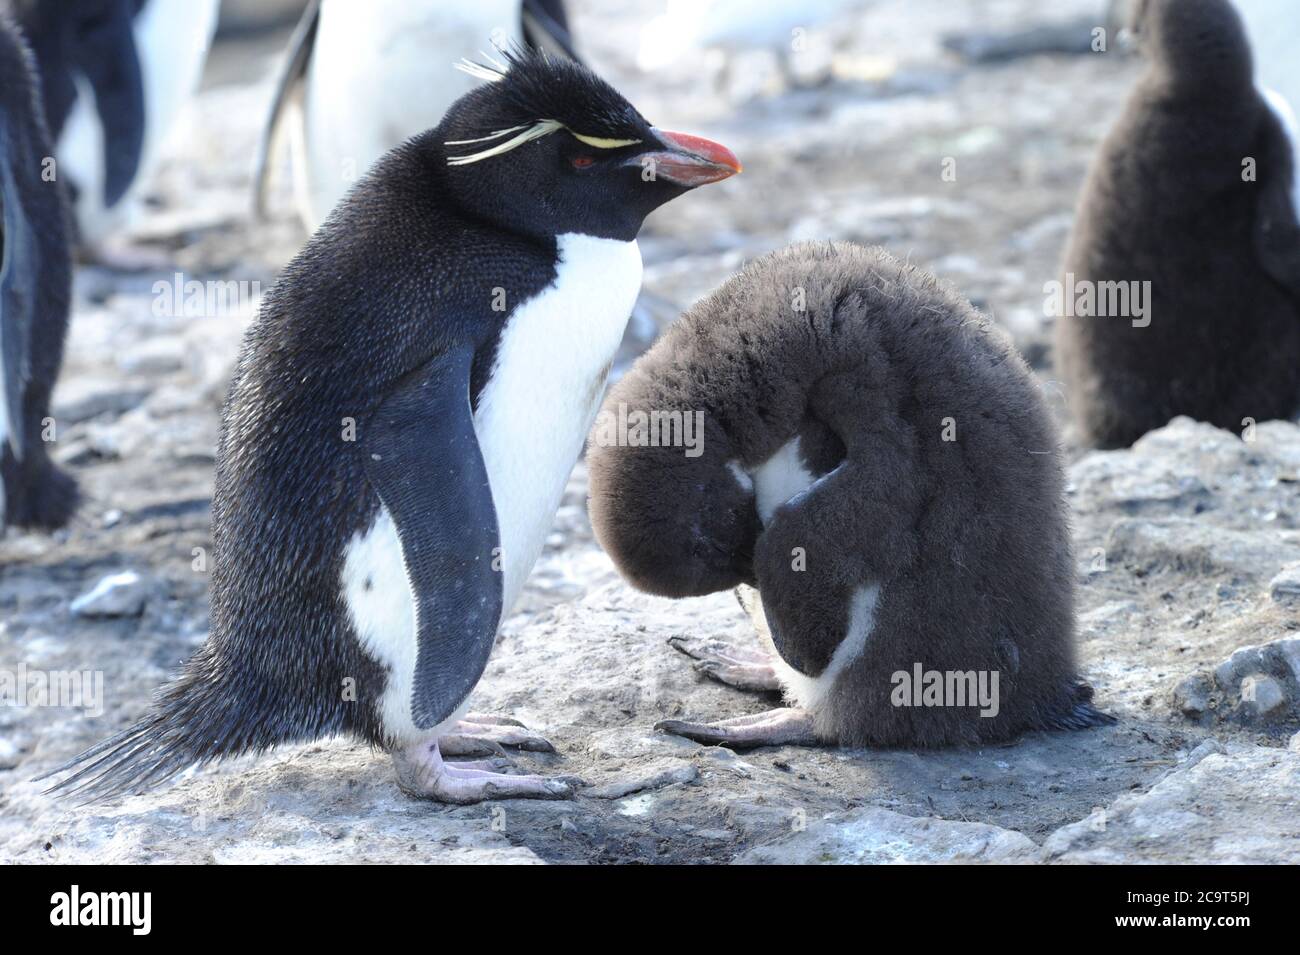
point(1189, 544)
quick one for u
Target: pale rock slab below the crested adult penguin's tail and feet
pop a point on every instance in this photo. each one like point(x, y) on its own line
point(331, 802)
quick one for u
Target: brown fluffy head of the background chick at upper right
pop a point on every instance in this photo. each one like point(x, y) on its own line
point(1197, 44)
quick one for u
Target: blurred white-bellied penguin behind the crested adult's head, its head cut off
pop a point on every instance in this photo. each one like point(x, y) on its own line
point(361, 79)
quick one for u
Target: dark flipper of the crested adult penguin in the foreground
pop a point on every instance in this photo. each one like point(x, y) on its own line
point(423, 458)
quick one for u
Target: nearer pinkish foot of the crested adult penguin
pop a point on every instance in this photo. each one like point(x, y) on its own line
point(422, 772)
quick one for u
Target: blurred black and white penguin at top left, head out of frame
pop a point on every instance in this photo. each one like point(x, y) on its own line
point(115, 75)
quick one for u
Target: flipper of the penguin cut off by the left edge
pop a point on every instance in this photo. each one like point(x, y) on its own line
point(19, 276)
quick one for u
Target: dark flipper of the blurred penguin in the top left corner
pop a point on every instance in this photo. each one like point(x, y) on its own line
point(106, 53)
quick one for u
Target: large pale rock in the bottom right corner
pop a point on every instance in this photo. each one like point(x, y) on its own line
point(1238, 809)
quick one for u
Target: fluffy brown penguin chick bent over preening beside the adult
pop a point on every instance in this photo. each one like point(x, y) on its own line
point(881, 477)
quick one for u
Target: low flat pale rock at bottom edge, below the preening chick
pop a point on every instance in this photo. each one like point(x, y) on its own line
point(874, 836)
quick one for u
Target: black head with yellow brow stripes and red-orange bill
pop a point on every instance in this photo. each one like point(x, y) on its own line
point(547, 147)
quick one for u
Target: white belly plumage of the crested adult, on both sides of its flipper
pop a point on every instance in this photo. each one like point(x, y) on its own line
point(532, 419)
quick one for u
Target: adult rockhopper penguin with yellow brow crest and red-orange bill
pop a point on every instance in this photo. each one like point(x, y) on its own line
point(401, 427)
